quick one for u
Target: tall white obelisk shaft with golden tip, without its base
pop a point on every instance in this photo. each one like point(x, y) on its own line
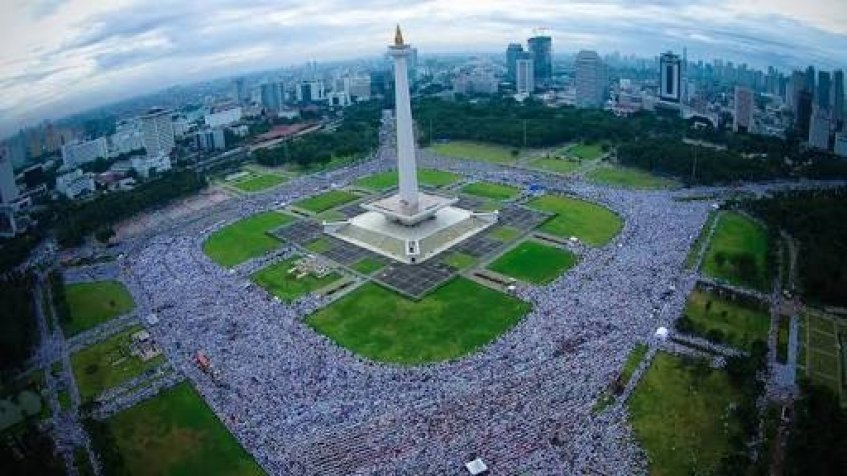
point(405, 136)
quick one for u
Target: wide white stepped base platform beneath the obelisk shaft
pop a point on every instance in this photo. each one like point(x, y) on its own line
point(411, 244)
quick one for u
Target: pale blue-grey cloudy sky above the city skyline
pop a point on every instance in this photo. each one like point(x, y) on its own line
point(62, 56)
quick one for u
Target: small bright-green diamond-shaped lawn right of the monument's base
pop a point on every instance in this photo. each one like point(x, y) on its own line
point(533, 262)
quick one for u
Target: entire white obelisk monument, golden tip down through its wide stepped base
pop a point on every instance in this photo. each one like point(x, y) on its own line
point(409, 226)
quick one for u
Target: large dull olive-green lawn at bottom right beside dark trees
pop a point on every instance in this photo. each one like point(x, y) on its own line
point(683, 419)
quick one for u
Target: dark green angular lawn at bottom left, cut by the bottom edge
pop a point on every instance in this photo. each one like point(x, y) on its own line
point(175, 433)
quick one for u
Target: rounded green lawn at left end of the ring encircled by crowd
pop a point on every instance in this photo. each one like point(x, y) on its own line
point(244, 239)
